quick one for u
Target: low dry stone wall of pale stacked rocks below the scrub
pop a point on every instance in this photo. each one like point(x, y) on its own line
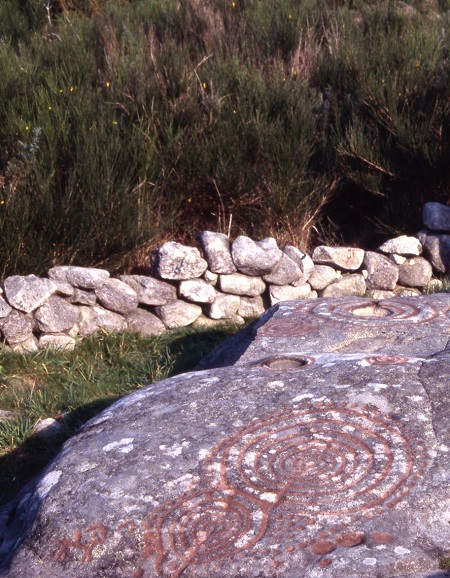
point(221, 283)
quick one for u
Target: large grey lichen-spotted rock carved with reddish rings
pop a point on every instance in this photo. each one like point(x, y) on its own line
point(295, 464)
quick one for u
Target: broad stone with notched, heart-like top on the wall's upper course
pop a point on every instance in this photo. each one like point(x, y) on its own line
point(255, 258)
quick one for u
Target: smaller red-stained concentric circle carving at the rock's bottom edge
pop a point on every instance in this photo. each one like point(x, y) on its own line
point(211, 524)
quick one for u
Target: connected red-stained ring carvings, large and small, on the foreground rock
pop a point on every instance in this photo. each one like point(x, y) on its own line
point(320, 465)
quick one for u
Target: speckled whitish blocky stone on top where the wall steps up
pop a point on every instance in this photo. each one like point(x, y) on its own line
point(176, 261)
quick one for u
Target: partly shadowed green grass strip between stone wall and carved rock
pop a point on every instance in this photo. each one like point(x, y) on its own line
point(72, 387)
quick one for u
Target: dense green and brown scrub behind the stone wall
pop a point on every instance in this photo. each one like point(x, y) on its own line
point(123, 123)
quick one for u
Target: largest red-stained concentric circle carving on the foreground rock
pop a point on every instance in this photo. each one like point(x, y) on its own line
point(333, 460)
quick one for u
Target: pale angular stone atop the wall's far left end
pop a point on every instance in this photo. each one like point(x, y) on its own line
point(27, 293)
